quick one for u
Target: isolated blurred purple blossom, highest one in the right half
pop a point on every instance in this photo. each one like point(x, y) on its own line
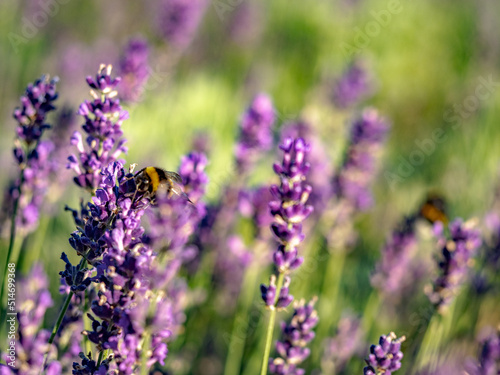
point(352, 87)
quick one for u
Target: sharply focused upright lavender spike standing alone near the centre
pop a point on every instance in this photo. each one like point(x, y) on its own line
point(289, 209)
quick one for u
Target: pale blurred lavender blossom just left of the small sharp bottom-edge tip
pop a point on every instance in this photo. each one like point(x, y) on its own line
point(347, 342)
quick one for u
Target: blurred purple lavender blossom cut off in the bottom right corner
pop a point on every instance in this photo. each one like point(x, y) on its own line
point(489, 357)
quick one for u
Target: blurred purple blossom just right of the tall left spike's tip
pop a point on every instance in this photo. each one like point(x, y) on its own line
point(134, 70)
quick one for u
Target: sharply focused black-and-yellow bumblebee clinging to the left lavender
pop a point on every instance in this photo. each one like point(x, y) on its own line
point(151, 180)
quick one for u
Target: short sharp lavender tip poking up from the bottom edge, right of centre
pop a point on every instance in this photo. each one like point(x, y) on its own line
point(385, 358)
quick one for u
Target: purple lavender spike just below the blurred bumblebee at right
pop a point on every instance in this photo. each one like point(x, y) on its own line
point(454, 261)
